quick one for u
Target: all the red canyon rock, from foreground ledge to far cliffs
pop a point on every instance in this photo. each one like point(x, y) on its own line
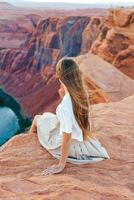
point(101, 42)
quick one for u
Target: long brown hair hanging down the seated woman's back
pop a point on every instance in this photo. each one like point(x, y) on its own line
point(67, 70)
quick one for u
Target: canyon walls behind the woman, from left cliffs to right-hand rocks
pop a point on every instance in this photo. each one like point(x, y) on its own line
point(28, 70)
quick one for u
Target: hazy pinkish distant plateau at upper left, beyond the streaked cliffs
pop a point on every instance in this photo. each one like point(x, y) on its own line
point(16, 22)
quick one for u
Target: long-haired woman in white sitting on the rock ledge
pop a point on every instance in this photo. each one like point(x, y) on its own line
point(68, 135)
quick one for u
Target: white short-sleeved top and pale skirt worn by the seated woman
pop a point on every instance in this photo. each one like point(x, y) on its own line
point(51, 126)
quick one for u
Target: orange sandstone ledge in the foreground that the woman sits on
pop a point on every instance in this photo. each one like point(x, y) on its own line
point(22, 159)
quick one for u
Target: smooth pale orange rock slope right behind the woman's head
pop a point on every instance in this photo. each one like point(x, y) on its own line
point(112, 85)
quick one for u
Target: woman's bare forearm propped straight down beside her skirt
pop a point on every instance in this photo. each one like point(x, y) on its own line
point(66, 140)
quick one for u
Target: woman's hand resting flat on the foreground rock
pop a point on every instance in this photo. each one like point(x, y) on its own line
point(54, 169)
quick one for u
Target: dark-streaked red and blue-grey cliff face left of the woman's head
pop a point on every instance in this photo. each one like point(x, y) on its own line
point(31, 67)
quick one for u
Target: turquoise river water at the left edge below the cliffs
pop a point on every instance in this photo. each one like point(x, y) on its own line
point(8, 124)
